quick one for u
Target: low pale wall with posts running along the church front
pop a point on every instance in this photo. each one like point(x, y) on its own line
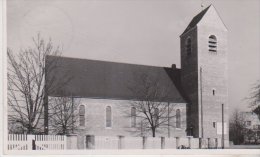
point(122, 142)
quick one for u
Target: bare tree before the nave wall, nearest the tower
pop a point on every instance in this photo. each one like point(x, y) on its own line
point(152, 107)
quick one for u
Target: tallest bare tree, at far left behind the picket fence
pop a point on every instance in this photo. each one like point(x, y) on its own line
point(26, 83)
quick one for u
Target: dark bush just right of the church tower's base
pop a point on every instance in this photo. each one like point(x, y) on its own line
point(237, 130)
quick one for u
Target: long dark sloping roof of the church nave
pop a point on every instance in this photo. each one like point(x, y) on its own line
point(109, 80)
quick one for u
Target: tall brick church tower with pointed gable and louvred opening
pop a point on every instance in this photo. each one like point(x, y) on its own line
point(204, 74)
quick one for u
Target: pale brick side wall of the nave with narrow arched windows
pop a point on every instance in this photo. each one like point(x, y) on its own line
point(95, 120)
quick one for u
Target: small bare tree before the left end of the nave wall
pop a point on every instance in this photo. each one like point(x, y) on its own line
point(63, 115)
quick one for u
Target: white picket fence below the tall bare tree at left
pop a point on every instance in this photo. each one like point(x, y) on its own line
point(36, 142)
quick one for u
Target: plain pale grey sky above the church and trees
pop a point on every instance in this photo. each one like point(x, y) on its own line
point(140, 32)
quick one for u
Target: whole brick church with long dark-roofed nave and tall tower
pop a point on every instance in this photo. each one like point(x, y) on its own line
point(197, 90)
